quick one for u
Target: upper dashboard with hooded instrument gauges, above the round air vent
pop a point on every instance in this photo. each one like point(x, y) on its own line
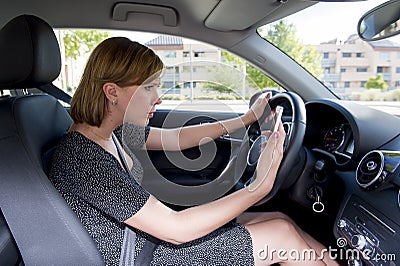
point(345, 131)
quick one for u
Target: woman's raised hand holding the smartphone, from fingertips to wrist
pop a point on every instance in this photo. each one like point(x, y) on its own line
point(269, 161)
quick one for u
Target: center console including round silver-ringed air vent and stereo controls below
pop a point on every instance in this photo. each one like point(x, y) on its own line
point(363, 228)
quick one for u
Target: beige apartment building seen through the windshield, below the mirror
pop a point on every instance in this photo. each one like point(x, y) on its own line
point(349, 65)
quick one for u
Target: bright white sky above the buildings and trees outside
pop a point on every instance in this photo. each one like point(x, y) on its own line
point(330, 20)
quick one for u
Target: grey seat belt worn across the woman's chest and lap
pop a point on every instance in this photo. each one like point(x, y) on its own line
point(146, 253)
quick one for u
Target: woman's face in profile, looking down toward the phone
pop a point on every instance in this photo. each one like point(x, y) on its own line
point(141, 102)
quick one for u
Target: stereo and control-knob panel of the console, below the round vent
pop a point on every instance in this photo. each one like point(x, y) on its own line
point(368, 236)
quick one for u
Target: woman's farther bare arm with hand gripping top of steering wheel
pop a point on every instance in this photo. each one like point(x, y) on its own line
point(190, 136)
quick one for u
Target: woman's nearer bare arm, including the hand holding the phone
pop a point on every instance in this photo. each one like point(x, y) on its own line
point(179, 227)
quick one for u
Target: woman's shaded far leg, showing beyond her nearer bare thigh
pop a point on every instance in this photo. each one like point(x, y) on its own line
point(254, 218)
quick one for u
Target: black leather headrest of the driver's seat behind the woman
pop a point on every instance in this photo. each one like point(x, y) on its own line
point(29, 52)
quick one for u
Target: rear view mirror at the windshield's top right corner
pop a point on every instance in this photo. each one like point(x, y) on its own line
point(380, 22)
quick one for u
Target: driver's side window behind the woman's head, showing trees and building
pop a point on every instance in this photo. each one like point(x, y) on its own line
point(197, 76)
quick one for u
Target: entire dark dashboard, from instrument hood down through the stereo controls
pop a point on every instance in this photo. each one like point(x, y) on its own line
point(354, 157)
